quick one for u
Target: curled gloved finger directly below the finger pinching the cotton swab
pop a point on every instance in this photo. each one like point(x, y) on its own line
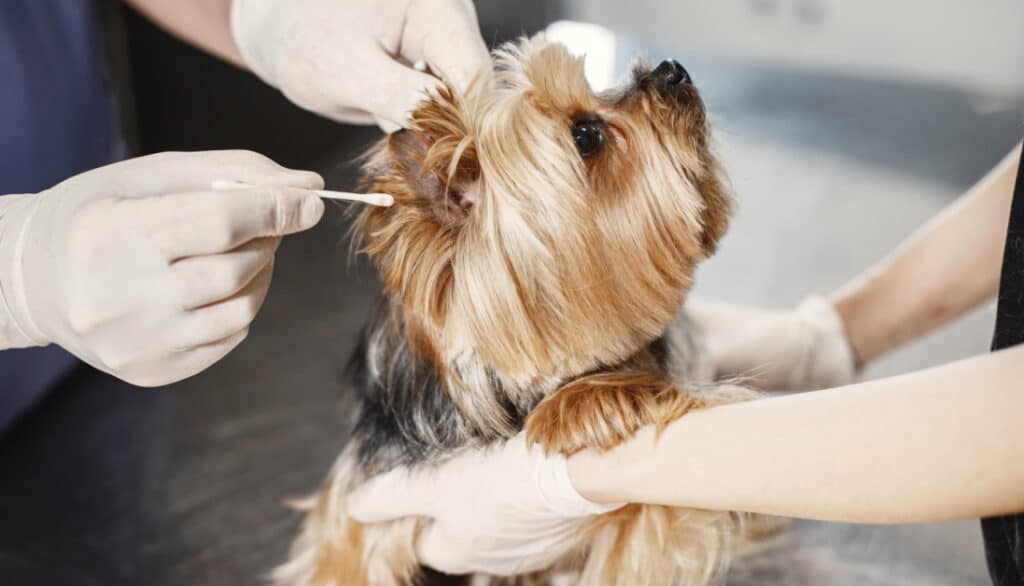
point(206, 280)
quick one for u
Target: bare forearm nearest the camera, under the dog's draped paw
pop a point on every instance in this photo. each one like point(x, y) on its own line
point(930, 446)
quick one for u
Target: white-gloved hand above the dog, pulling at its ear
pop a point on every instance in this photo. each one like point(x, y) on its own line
point(349, 60)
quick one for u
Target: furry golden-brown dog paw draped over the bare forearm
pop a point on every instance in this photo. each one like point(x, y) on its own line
point(604, 410)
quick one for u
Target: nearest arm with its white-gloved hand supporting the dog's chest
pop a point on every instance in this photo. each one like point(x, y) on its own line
point(930, 446)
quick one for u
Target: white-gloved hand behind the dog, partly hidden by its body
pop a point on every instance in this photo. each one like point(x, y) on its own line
point(799, 350)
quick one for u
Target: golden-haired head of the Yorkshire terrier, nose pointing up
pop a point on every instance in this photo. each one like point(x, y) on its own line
point(543, 228)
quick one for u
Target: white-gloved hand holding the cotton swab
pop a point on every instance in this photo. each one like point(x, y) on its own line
point(143, 272)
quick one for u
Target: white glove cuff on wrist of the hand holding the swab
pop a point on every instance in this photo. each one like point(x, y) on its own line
point(17, 327)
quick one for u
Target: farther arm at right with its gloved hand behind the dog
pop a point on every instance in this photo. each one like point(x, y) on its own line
point(948, 268)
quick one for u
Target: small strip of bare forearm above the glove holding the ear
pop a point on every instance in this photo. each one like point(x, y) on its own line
point(205, 24)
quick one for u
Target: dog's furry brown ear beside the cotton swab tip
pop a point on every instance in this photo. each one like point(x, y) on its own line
point(433, 173)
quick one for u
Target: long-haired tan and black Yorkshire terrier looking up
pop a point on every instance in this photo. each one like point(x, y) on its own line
point(541, 246)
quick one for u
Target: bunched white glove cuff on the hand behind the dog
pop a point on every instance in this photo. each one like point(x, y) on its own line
point(830, 359)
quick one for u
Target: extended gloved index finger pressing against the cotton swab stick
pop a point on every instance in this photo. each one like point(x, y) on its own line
point(210, 223)
